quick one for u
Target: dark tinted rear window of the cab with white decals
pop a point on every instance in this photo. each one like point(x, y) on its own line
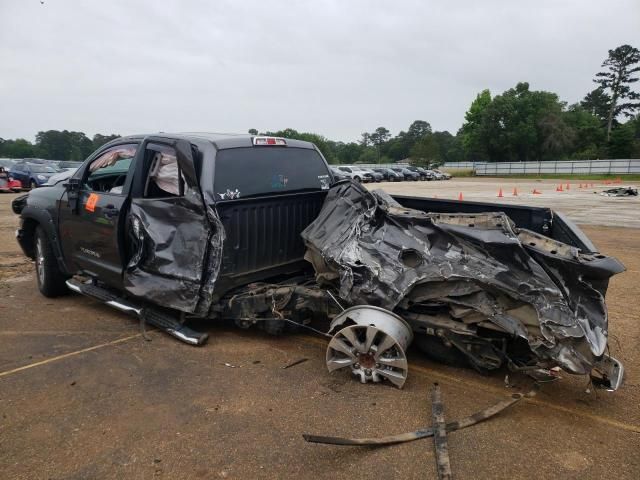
point(254, 171)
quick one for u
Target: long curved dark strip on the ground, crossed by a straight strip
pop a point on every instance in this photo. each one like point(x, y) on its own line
point(465, 422)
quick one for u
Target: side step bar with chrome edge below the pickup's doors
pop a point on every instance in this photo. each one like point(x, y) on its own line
point(154, 317)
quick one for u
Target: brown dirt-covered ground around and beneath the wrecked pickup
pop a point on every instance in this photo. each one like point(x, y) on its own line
point(82, 395)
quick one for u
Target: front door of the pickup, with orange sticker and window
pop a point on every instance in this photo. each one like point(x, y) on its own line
point(90, 226)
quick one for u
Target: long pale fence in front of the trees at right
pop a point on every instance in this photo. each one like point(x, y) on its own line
point(583, 167)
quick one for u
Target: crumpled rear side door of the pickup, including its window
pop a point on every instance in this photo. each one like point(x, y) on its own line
point(169, 231)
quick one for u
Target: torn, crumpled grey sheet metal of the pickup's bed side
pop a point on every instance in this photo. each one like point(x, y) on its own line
point(494, 292)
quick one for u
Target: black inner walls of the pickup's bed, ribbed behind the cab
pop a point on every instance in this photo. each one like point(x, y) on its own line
point(263, 233)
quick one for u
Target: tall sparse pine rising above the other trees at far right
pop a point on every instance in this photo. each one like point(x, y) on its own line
point(622, 63)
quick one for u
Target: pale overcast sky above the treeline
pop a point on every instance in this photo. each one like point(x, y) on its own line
point(337, 68)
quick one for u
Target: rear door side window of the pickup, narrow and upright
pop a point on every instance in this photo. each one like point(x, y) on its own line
point(164, 176)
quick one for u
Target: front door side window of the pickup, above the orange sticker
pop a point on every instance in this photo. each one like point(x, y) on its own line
point(108, 172)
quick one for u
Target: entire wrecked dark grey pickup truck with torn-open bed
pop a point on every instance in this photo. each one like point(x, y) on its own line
point(254, 229)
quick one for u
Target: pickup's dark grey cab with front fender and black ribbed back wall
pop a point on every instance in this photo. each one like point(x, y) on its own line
point(158, 216)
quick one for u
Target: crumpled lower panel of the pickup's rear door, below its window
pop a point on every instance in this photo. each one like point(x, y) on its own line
point(176, 253)
